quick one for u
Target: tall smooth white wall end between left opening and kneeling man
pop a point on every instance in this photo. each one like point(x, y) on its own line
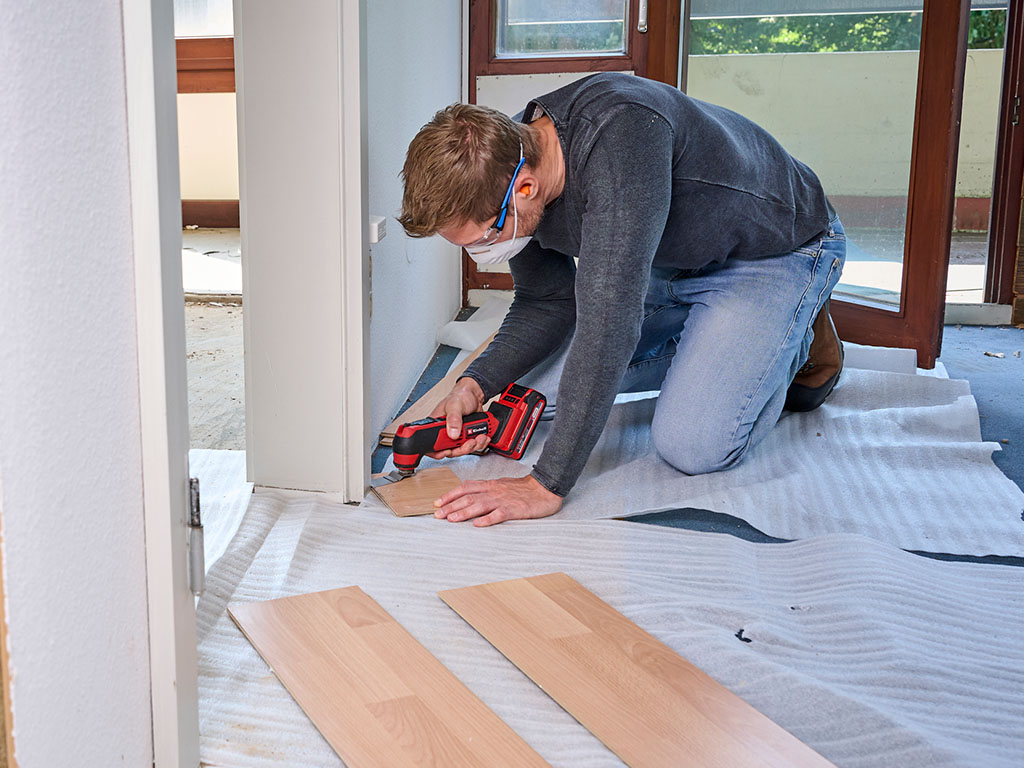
point(305, 262)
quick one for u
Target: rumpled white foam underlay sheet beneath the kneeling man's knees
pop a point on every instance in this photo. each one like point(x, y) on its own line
point(898, 457)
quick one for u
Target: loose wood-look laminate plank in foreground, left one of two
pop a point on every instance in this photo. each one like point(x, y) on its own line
point(378, 697)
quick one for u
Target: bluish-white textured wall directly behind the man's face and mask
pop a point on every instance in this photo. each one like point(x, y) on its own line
point(414, 69)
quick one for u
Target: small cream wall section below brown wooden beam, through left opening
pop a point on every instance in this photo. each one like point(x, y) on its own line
point(208, 147)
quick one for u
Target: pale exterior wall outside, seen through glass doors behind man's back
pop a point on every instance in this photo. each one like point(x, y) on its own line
point(858, 134)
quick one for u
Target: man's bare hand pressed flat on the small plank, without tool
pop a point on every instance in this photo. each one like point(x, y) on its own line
point(488, 502)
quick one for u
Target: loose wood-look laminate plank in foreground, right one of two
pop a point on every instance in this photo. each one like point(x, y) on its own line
point(644, 701)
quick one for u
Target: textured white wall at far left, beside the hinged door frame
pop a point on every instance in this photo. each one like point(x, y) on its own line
point(70, 444)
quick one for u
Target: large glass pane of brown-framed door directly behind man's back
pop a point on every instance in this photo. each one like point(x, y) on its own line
point(839, 92)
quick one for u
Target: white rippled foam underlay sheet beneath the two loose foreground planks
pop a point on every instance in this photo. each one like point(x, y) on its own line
point(872, 656)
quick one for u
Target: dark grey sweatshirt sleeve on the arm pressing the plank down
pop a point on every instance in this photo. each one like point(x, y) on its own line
point(627, 186)
